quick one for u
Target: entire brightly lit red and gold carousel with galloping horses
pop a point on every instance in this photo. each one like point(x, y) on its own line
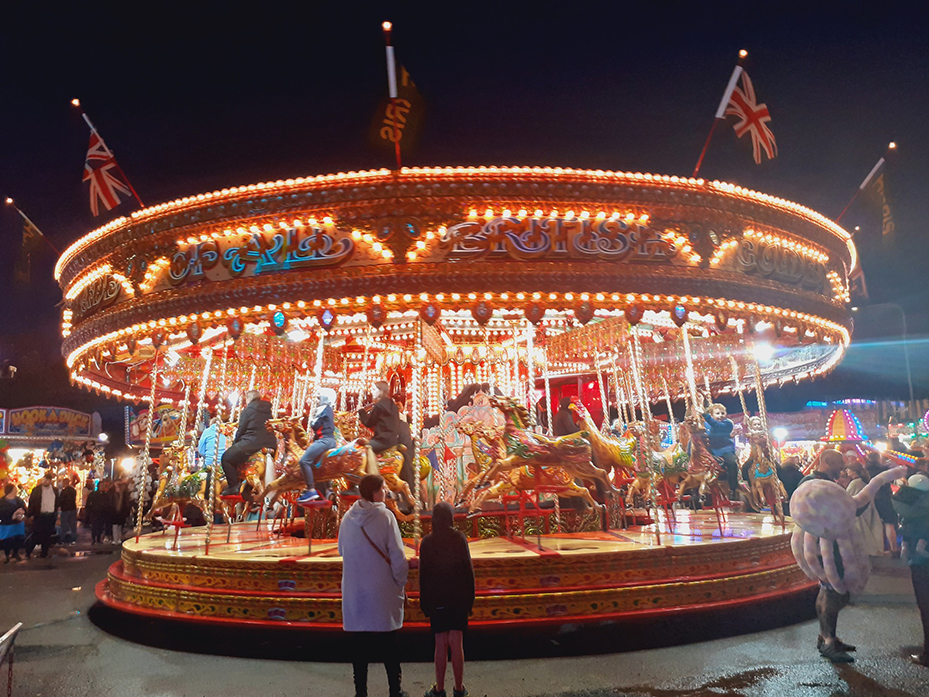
point(472, 292)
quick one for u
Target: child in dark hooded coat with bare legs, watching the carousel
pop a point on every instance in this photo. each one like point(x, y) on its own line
point(446, 595)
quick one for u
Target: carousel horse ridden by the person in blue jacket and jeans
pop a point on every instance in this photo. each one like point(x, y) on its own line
point(348, 460)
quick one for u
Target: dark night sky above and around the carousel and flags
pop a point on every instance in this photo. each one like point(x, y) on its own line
point(194, 97)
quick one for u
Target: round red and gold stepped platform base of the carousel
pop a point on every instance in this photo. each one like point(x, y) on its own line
point(254, 576)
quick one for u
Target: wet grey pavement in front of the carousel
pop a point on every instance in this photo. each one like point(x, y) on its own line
point(73, 648)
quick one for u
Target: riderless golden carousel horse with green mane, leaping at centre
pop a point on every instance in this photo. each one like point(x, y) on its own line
point(522, 448)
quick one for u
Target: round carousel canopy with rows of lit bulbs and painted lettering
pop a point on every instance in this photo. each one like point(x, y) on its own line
point(467, 268)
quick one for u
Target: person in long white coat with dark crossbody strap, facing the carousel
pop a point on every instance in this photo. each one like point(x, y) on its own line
point(374, 572)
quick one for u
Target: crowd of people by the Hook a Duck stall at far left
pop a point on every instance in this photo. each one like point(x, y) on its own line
point(50, 515)
